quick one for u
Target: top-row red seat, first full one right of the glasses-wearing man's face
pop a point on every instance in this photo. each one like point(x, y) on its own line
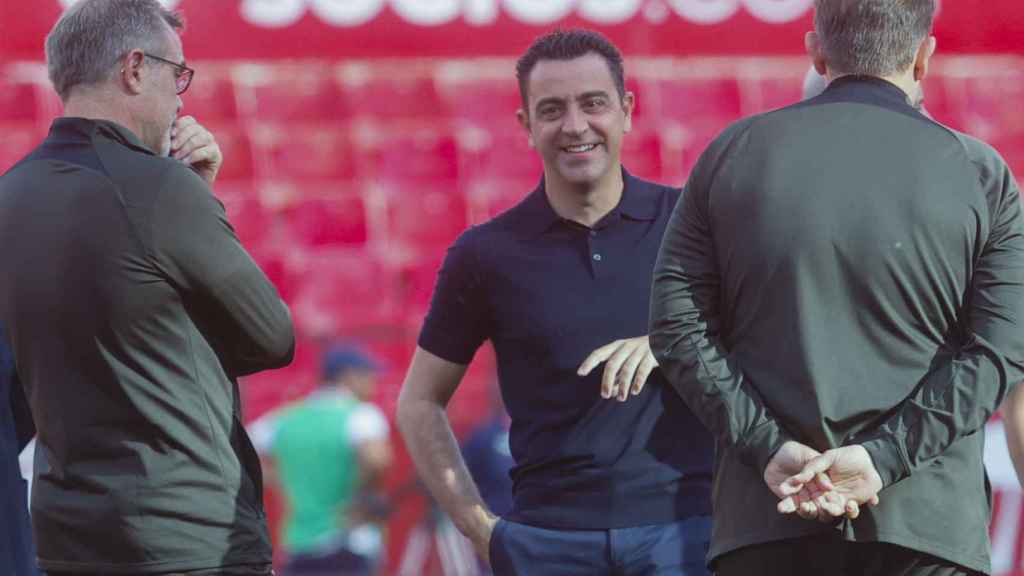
point(307, 94)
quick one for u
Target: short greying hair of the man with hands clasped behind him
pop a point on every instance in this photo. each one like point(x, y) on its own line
point(872, 37)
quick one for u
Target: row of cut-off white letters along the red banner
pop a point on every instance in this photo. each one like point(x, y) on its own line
point(348, 14)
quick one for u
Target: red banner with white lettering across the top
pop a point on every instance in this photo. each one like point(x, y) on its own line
point(362, 29)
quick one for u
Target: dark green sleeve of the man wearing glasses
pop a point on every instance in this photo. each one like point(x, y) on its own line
point(196, 246)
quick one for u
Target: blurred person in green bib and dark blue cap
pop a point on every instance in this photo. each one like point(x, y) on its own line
point(328, 452)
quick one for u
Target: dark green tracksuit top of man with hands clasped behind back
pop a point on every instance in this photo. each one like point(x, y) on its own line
point(847, 271)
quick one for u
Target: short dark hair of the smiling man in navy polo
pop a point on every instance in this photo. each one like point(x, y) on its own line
point(568, 46)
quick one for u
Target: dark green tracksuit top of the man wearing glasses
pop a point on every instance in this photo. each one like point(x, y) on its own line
point(133, 309)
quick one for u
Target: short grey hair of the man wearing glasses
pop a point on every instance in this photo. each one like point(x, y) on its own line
point(86, 45)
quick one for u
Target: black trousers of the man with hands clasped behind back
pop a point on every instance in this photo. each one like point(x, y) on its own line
point(830, 554)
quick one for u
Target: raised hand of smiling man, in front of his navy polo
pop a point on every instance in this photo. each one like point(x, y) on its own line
point(628, 363)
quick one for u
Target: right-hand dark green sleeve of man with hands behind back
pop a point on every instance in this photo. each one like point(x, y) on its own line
point(960, 395)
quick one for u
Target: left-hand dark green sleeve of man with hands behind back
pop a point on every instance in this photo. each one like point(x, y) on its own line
point(686, 324)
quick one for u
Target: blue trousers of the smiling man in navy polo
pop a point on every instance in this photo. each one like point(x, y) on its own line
point(677, 550)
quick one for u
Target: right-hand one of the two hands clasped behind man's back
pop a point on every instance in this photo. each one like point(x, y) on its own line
point(840, 481)
